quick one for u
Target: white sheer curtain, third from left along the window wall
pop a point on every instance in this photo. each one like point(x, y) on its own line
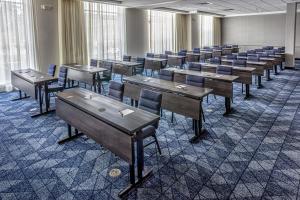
point(162, 31)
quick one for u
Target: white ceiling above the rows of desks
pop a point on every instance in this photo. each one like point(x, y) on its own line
point(214, 6)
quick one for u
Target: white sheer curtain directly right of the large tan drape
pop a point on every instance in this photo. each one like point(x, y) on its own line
point(105, 28)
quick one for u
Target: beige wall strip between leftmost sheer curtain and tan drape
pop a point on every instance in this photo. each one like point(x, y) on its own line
point(47, 33)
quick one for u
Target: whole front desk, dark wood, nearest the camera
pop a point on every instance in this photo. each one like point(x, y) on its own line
point(101, 119)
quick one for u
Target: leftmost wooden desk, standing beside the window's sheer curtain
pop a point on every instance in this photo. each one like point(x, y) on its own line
point(31, 83)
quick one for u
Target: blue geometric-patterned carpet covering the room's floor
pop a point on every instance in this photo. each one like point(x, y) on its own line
point(253, 153)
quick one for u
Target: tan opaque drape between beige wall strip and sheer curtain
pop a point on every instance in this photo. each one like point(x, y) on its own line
point(73, 45)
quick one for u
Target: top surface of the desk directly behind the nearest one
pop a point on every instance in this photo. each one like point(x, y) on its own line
point(170, 86)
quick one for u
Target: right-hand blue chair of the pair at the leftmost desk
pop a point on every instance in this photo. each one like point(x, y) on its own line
point(60, 84)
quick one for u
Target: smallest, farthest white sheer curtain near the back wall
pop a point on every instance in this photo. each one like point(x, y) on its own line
point(206, 30)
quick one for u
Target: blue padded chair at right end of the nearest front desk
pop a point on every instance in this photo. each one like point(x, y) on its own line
point(150, 101)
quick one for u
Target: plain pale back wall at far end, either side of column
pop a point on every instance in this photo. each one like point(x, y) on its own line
point(251, 32)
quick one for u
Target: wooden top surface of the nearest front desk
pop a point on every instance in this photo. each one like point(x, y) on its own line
point(108, 110)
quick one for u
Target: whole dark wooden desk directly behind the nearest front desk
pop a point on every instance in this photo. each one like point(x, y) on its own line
point(178, 98)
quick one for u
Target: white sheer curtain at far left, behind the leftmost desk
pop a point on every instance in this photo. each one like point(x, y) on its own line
point(17, 38)
